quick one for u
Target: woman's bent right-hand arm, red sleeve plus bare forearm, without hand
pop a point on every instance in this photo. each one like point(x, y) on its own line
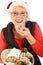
point(37, 41)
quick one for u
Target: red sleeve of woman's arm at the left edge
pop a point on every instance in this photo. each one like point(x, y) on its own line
point(2, 44)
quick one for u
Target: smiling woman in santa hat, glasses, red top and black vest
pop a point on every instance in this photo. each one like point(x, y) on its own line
point(21, 32)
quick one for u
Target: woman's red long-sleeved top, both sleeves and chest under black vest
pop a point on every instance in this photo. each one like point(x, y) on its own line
point(37, 47)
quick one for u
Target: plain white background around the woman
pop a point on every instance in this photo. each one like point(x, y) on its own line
point(36, 13)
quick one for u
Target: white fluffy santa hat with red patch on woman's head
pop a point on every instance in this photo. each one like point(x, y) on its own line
point(11, 5)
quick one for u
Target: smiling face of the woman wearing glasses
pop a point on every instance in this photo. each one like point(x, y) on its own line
point(19, 16)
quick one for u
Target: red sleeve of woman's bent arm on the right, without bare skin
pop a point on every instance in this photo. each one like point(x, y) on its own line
point(38, 45)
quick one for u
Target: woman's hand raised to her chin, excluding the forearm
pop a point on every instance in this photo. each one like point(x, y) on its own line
point(23, 31)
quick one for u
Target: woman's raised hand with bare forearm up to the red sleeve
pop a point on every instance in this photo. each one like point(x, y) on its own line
point(25, 32)
